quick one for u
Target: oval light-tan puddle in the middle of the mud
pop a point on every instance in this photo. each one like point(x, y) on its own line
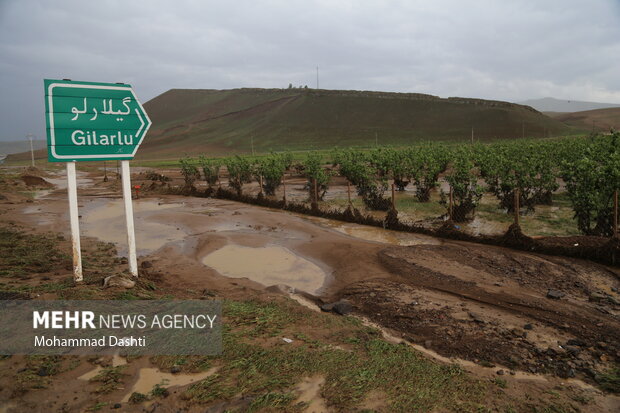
point(269, 265)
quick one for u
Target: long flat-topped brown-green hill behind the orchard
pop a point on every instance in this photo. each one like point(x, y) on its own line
point(228, 121)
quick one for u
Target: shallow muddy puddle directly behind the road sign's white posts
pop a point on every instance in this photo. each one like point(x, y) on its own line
point(105, 220)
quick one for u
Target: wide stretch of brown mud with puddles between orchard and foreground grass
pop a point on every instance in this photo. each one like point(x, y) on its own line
point(451, 299)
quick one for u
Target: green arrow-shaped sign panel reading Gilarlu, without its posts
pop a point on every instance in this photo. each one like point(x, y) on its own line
point(89, 121)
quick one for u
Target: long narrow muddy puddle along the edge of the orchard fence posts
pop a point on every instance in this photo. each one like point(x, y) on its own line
point(384, 236)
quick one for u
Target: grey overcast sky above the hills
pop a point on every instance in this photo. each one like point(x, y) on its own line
point(506, 50)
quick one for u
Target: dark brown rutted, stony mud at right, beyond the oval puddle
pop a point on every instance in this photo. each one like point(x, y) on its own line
point(490, 306)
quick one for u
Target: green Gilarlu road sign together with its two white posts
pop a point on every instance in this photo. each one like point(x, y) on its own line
point(88, 121)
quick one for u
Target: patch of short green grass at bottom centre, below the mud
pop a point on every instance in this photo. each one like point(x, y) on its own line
point(369, 363)
